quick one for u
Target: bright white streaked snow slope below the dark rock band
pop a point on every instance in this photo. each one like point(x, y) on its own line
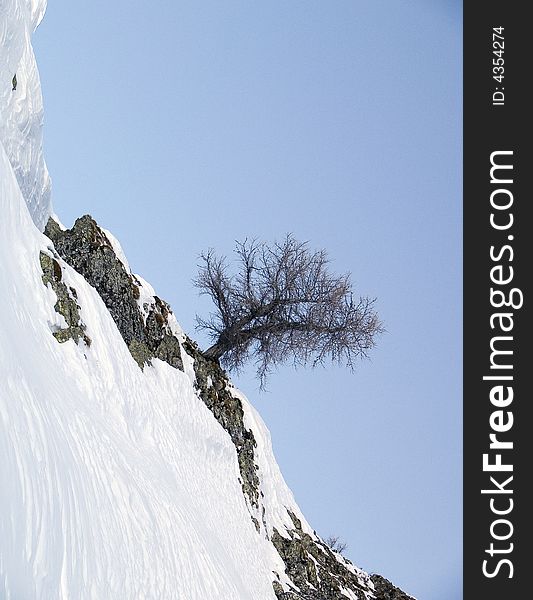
point(115, 483)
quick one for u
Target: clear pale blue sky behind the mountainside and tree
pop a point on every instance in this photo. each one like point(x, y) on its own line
point(184, 125)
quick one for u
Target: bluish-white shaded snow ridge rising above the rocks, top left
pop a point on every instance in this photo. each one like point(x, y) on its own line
point(21, 111)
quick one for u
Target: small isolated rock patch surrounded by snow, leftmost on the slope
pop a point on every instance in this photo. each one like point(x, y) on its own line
point(66, 304)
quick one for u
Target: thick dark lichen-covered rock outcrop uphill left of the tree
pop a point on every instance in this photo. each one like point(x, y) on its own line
point(86, 248)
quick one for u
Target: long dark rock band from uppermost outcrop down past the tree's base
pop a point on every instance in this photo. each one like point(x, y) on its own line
point(86, 248)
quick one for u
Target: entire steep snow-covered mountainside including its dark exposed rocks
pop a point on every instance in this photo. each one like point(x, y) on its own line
point(130, 466)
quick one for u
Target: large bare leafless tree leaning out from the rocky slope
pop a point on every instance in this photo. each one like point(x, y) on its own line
point(283, 303)
